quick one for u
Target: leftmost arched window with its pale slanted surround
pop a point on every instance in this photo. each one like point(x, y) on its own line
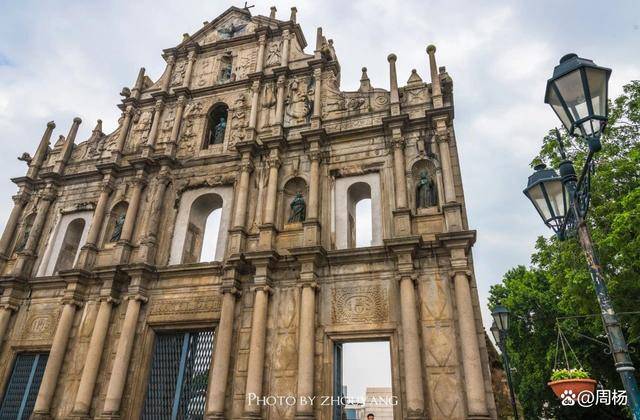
point(65, 241)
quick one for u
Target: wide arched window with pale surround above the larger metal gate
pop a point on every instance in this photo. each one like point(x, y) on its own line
point(196, 215)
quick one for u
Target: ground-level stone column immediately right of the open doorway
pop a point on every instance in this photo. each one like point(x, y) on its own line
point(411, 343)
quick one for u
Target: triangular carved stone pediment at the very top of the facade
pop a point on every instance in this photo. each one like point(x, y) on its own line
point(234, 22)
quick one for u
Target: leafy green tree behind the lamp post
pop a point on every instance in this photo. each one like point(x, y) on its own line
point(557, 284)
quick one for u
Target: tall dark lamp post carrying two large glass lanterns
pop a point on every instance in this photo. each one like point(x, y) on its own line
point(577, 92)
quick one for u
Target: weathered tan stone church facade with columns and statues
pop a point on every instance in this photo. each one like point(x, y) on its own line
point(100, 251)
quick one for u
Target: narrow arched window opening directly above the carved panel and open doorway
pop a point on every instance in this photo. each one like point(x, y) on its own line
point(360, 219)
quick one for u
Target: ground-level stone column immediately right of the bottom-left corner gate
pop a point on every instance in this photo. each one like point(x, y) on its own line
point(54, 362)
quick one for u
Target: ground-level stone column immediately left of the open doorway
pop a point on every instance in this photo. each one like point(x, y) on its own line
point(306, 349)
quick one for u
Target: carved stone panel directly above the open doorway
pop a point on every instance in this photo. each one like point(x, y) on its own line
point(360, 304)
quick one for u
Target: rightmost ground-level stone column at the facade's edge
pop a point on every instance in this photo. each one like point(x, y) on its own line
point(471, 362)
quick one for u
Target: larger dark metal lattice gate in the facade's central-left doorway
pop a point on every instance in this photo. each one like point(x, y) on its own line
point(179, 376)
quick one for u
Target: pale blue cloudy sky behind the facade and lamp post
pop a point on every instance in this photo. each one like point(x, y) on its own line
point(61, 59)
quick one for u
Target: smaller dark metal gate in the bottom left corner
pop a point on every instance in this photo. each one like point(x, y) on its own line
point(20, 396)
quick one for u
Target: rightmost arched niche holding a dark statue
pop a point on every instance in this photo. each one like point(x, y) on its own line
point(434, 195)
